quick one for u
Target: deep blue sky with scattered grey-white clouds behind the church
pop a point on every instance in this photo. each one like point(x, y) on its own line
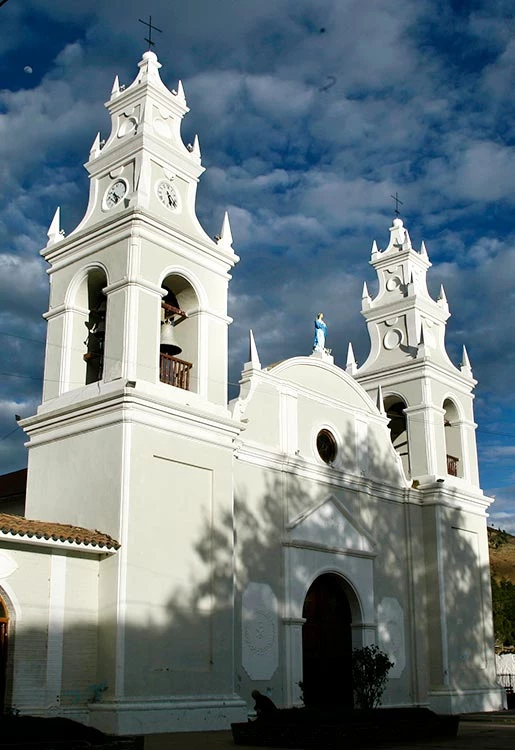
point(310, 115)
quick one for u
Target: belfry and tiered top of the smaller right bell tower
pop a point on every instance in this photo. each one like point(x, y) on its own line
point(427, 399)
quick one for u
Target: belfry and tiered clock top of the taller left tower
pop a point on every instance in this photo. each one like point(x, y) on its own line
point(139, 244)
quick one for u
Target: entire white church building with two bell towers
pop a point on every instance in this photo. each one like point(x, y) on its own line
point(179, 551)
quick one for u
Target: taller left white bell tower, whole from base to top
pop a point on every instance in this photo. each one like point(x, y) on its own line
point(133, 435)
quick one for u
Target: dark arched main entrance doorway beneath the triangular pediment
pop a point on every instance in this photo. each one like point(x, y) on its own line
point(327, 644)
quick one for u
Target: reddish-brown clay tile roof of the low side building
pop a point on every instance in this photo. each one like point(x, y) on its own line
point(59, 532)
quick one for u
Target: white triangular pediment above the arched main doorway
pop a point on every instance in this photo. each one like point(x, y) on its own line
point(330, 524)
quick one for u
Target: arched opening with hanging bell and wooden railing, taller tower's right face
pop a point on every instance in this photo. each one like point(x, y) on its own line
point(179, 347)
